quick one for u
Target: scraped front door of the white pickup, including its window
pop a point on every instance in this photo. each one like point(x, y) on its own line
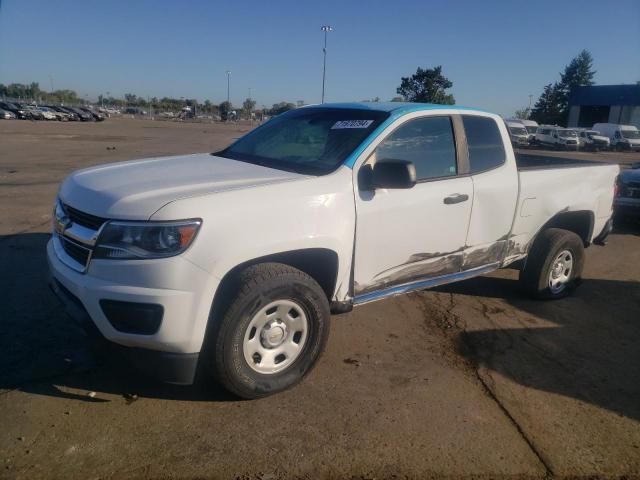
point(407, 235)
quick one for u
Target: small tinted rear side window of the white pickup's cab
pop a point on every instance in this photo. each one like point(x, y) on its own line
point(486, 148)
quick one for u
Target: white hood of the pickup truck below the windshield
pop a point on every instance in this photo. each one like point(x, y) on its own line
point(135, 190)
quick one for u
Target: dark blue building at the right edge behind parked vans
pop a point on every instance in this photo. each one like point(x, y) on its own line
point(604, 104)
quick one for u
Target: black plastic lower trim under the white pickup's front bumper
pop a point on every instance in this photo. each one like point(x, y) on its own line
point(177, 368)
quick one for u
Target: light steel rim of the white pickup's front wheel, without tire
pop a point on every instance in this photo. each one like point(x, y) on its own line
point(275, 337)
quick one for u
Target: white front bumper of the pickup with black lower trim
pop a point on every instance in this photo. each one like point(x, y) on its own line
point(184, 291)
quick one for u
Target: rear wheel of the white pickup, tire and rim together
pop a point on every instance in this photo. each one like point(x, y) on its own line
point(554, 265)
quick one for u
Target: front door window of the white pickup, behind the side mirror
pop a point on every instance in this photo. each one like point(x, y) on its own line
point(427, 142)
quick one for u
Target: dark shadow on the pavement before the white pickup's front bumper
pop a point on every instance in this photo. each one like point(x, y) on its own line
point(43, 351)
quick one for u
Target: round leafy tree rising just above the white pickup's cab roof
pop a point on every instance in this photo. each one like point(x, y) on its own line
point(426, 86)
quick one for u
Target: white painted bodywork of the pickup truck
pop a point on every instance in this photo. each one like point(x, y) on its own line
point(250, 211)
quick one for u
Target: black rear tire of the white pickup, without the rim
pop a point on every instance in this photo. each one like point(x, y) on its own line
point(534, 278)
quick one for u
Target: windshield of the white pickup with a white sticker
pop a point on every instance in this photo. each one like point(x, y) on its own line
point(308, 140)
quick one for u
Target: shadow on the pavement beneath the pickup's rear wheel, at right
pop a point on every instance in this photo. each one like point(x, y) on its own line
point(584, 346)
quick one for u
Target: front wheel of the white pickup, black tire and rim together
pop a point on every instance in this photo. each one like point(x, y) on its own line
point(272, 333)
